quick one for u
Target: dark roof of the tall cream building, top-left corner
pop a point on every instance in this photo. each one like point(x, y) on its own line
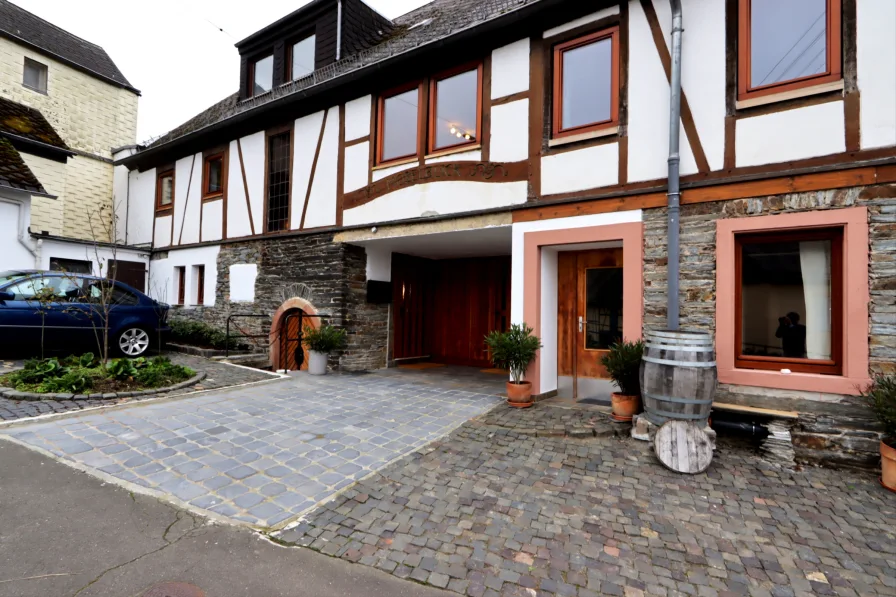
point(20, 25)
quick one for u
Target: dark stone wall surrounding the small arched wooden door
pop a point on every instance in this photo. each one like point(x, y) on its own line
point(335, 275)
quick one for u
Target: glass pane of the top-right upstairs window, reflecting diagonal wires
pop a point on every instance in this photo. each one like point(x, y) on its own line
point(788, 40)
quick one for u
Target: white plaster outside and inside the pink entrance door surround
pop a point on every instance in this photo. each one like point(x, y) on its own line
point(548, 362)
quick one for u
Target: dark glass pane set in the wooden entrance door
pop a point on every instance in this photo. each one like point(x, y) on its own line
point(603, 307)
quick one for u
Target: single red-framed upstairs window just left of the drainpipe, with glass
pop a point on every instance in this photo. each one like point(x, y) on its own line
point(586, 83)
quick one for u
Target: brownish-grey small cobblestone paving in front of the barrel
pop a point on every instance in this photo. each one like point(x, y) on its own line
point(492, 512)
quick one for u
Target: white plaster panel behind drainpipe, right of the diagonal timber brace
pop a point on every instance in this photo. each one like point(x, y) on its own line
point(703, 70)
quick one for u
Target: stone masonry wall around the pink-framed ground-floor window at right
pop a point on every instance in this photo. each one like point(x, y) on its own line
point(835, 429)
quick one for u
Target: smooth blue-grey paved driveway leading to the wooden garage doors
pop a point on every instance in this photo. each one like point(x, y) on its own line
point(260, 454)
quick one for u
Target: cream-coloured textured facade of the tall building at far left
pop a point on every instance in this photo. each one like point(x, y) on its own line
point(92, 117)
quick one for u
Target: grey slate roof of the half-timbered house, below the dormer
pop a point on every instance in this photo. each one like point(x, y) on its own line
point(429, 23)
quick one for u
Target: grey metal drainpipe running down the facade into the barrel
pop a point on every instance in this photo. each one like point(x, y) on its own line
point(674, 195)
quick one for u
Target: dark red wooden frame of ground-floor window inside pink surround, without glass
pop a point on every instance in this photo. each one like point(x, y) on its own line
point(833, 366)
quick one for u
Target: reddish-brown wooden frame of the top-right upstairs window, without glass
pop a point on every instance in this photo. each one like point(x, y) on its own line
point(745, 89)
